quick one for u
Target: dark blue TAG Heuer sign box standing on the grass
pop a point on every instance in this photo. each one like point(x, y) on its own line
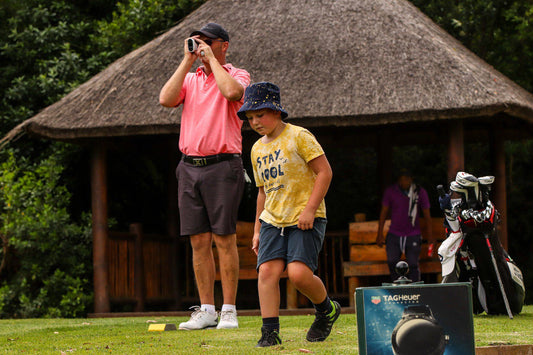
point(415, 319)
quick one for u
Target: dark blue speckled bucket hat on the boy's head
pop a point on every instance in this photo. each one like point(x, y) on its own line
point(259, 96)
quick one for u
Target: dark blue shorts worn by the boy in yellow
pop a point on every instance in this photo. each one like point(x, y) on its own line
point(294, 245)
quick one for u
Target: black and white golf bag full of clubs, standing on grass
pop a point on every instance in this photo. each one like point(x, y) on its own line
point(472, 251)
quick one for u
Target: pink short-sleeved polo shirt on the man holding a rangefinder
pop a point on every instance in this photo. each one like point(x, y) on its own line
point(209, 122)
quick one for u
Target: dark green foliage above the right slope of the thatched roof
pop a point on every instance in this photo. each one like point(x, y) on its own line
point(498, 31)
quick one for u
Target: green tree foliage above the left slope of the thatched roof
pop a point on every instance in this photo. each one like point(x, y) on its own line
point(48, 48)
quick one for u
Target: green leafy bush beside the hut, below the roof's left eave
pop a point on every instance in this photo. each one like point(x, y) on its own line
point(50, 271)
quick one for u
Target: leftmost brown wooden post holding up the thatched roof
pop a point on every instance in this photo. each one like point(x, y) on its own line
point(100, 232)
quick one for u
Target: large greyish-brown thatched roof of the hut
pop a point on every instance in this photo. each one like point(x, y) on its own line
point(338, 62)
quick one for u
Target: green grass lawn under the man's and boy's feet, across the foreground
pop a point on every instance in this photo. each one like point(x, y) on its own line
point(131, 336)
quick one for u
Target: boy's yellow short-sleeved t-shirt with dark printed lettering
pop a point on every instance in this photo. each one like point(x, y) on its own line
point(281, 168)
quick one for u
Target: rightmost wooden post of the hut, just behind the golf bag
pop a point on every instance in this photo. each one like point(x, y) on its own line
point(497, 152)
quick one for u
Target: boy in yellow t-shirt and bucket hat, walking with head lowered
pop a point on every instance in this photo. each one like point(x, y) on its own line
point(293, 176)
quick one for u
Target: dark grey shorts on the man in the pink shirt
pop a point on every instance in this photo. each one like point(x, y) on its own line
point(209, 196)
